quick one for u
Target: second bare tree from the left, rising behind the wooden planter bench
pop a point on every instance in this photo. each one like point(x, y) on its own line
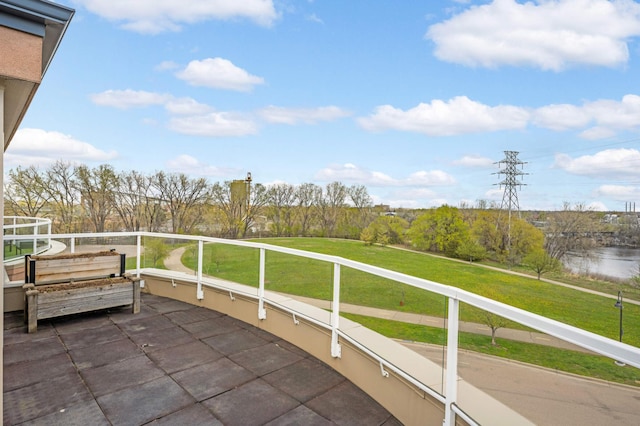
point(60, 189)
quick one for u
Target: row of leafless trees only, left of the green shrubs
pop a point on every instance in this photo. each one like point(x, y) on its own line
point(82, 199)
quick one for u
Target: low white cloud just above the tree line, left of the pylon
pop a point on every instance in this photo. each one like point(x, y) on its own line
point(352, 173)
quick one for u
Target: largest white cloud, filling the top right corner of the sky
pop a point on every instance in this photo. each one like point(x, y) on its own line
point(551, 35)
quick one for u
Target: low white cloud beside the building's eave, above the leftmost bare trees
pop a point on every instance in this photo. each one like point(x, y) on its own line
point(41, 147)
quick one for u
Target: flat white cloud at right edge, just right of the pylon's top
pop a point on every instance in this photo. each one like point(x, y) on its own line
point(621, 163)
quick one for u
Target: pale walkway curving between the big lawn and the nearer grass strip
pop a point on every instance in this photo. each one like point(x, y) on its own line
point(173, 262)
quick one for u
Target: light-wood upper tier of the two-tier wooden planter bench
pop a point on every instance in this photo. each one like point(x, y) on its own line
point(50, 269)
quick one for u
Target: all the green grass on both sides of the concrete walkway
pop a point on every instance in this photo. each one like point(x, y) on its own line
point(310, 278)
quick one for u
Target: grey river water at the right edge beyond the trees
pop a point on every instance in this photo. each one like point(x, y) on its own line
point(616, 262)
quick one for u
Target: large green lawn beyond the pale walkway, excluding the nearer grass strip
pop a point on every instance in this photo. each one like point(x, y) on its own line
point(312, 278)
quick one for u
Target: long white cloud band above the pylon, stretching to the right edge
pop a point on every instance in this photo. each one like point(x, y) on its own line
point(461, 115)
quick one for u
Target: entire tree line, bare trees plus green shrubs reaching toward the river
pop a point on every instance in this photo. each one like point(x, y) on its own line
point(81, 199)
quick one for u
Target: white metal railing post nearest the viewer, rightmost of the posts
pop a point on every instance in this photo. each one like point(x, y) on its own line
point(451, 379)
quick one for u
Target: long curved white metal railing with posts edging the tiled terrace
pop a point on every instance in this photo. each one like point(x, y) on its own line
point(615, 350)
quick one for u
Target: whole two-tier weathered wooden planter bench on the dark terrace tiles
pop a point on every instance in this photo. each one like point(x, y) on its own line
point(65, 284)
